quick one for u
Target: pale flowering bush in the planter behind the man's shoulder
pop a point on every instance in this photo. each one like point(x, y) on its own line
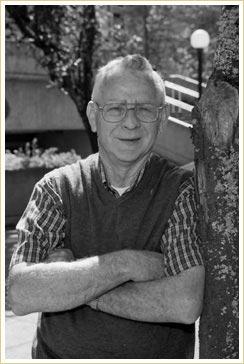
point(34, 157)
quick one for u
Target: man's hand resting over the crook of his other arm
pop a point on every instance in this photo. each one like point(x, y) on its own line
point(145, 265)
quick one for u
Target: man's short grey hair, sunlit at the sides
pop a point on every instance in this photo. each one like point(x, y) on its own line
point(134, 63)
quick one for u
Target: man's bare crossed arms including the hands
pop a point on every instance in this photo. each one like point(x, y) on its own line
point(126, 283)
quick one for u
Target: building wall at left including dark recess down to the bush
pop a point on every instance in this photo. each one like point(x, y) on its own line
point(37, 110)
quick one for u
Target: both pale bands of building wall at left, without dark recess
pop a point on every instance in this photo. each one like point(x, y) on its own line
point(34, 105)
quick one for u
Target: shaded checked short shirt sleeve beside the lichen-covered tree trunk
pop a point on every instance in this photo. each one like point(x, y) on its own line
point(180, 243)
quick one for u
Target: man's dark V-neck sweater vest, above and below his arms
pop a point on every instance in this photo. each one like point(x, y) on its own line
point(99, 223)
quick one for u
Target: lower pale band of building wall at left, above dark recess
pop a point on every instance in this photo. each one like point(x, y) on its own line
point(34, 107)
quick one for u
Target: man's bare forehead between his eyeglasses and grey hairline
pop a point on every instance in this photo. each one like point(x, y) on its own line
point(127, 86)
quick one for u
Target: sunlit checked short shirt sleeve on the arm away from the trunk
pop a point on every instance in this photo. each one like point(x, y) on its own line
point(41, 227)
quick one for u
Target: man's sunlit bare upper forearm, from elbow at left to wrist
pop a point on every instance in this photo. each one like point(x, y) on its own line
point(59, 286)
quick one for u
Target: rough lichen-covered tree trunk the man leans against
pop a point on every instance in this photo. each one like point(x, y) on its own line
point(216, 157)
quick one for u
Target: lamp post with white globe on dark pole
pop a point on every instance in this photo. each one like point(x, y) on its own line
point(199, 40)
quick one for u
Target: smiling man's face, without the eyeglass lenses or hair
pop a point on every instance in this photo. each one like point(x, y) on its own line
point(130, 140)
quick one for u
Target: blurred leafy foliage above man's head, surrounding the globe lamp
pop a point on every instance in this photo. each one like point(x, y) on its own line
point(160, 32)
